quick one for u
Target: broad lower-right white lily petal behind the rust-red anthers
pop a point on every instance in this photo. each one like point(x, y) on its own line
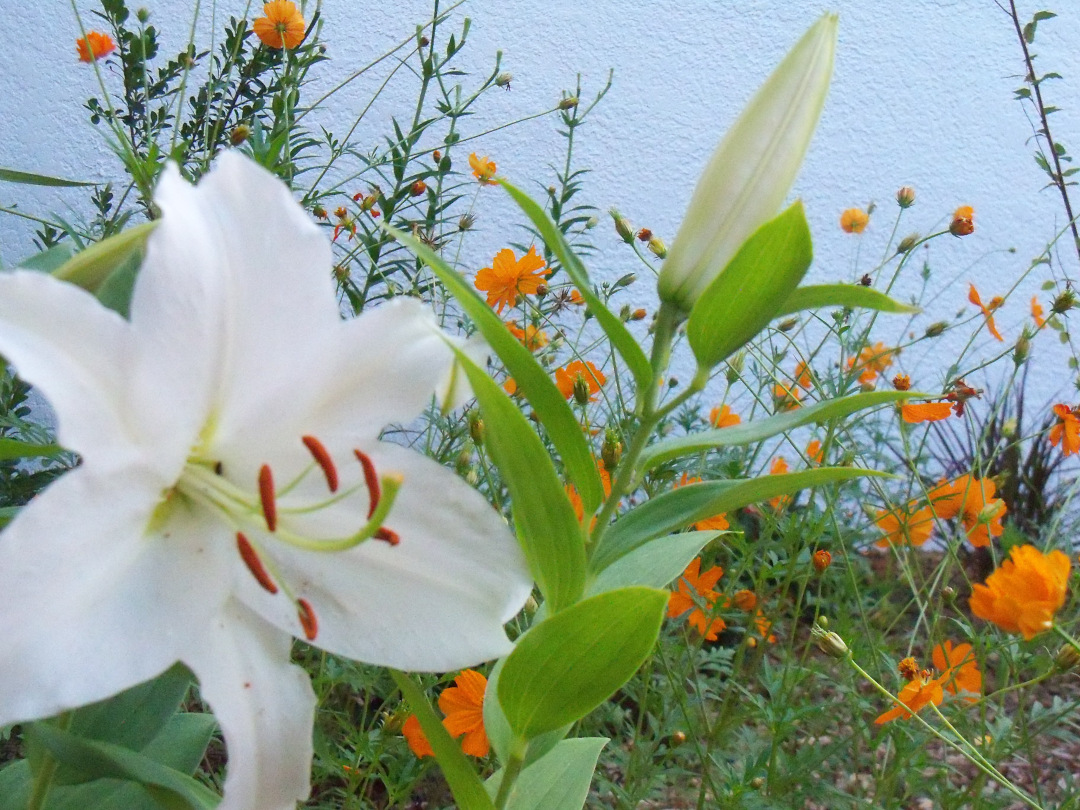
point(436, 602)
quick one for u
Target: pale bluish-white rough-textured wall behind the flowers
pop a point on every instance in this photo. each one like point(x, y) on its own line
point(923, 96)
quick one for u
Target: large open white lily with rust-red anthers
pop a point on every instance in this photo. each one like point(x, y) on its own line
point(233, 492)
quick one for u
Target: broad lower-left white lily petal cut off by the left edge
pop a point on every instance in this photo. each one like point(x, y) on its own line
point(90, 606)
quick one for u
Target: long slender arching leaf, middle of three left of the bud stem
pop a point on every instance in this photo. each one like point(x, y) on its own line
point(533, 381)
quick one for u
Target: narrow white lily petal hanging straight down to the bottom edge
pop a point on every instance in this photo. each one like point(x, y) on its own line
point(265, 706)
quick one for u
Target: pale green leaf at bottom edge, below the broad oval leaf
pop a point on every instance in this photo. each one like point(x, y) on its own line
point(560, 781)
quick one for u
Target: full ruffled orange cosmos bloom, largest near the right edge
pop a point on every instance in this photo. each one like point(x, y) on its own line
point(1023, 596)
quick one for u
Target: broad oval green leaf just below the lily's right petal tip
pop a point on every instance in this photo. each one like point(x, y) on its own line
point(568, 666)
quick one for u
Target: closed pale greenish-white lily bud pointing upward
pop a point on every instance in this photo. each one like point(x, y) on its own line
point(753, 169)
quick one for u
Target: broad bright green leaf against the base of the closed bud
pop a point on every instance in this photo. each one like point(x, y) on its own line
point(752, 289)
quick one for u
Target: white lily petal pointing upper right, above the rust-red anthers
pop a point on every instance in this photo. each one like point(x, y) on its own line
point(379, 369)
